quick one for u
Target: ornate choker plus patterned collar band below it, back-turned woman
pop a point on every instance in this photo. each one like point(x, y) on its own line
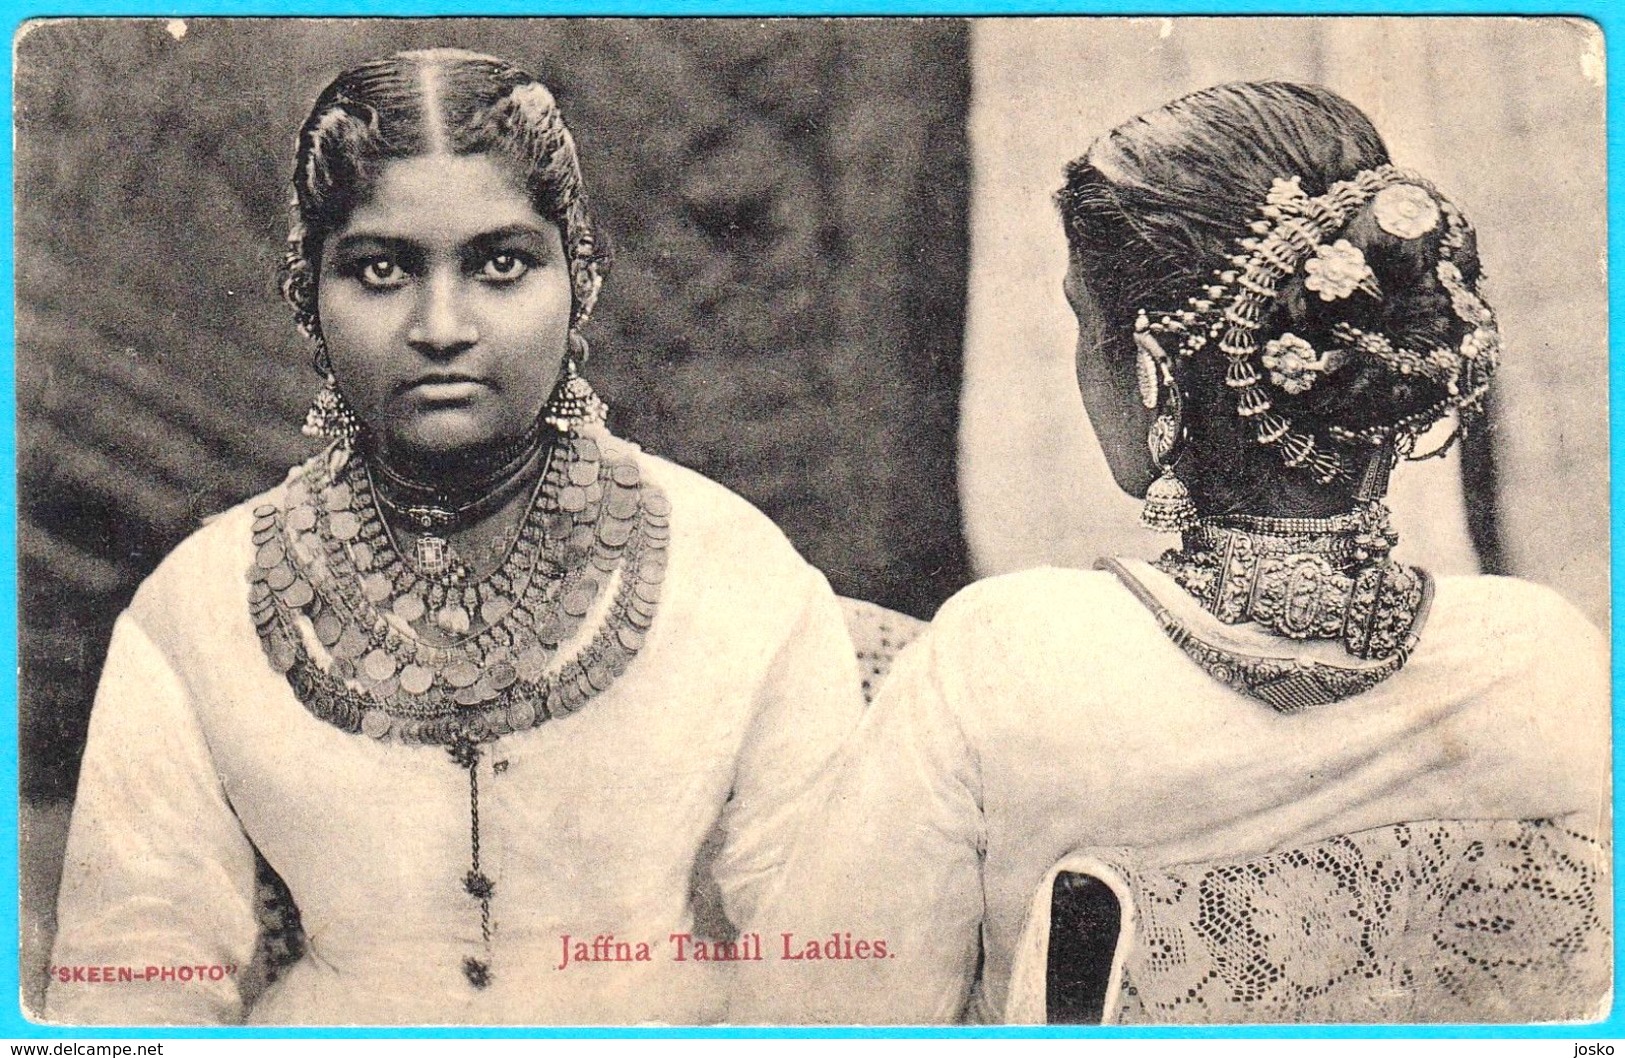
point(1302, 579)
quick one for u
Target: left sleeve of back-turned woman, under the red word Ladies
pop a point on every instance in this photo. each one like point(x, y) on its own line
point(878, 914)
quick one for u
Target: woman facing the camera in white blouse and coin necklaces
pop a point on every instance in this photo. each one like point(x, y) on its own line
point(480, 679)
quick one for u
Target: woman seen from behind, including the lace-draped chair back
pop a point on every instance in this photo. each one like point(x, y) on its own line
point(1278, 774)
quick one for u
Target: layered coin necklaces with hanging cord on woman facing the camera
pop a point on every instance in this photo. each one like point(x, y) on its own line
point(420, 648)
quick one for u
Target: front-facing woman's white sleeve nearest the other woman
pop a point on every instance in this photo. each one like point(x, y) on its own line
point(805, 709)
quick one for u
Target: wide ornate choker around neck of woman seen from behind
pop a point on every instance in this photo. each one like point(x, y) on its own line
point(1306, 579)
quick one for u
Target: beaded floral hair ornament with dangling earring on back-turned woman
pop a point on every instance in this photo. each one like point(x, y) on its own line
point(1298, 233)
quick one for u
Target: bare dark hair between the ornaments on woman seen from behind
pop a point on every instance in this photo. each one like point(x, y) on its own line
point(1159, 204)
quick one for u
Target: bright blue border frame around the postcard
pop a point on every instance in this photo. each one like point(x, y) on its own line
point(17, 12)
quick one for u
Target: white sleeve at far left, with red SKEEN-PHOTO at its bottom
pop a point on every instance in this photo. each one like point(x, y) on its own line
point(157, 904)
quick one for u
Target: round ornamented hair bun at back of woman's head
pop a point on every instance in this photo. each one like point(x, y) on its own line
point(1346, 318)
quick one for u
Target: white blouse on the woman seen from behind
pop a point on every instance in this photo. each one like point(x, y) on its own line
point(1047, 713)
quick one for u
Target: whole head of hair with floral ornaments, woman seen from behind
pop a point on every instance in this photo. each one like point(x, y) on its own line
point(1322, 300)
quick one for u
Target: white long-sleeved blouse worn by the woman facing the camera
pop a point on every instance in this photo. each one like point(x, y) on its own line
point(589, 825)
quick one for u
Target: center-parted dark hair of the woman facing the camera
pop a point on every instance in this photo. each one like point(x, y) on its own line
point(423, 103)
